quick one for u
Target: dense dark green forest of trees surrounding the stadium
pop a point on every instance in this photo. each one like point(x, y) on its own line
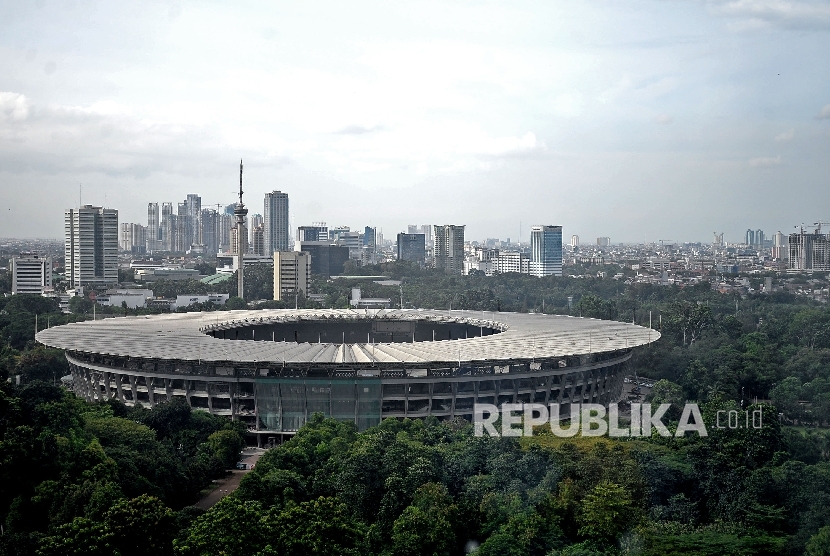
point(82, 478)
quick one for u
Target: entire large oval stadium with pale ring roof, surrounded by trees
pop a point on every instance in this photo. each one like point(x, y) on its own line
point(272, 369)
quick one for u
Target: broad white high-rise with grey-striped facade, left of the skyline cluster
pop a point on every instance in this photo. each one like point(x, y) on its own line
point(91, 246)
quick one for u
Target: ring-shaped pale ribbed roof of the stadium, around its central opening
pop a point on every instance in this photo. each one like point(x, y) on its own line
point(182, 336)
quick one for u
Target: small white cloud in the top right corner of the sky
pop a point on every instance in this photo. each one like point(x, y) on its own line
point(755, 14)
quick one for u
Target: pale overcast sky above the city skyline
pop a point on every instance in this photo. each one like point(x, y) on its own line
point(635, 120)
